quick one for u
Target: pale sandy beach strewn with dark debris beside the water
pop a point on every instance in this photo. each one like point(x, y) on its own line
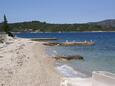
point(25, 63)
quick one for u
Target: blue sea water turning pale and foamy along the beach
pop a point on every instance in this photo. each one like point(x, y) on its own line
point(100, 57)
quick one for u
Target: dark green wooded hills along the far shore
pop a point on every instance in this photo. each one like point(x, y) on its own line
point(32, 26)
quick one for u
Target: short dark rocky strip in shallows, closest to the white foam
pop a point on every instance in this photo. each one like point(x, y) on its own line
point(75, 57)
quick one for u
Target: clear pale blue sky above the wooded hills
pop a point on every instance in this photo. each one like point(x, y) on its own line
point(57, 11)
